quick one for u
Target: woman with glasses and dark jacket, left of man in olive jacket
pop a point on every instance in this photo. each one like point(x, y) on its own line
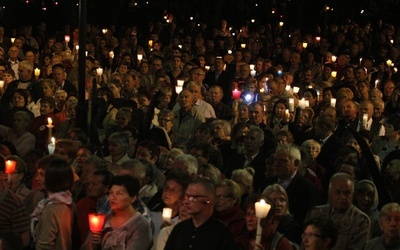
point(161, 134)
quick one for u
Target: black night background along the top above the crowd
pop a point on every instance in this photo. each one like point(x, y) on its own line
point(303, 13)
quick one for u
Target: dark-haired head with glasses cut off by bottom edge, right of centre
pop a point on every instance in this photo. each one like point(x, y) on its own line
point(319, 233)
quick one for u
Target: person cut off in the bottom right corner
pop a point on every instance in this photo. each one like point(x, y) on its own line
point(390, 225)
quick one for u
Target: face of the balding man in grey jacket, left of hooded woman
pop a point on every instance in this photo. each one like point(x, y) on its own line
point(341, 194)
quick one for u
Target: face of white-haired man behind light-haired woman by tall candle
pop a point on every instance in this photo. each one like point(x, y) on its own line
point(284, 166)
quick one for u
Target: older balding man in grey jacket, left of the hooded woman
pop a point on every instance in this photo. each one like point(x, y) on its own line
point(352, 224)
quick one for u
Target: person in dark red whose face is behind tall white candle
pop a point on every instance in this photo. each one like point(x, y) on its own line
point(270, 238)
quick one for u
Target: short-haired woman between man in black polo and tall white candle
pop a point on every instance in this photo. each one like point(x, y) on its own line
point(227, 206)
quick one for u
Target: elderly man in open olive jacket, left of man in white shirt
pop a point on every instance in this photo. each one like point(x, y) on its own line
point(187, 118)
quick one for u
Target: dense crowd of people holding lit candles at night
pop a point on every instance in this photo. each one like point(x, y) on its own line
point(205, 122)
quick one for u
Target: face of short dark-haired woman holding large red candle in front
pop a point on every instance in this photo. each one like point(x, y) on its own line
point(119, 198)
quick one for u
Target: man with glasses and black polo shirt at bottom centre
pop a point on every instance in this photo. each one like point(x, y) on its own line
point(202, 231)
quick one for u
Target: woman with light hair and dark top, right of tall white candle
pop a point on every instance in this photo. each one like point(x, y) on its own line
point(283, 221)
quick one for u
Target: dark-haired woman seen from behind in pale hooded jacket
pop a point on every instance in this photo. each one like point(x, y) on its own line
point(53, 218)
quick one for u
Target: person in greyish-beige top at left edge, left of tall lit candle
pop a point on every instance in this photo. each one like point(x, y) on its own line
point(23, 141)
